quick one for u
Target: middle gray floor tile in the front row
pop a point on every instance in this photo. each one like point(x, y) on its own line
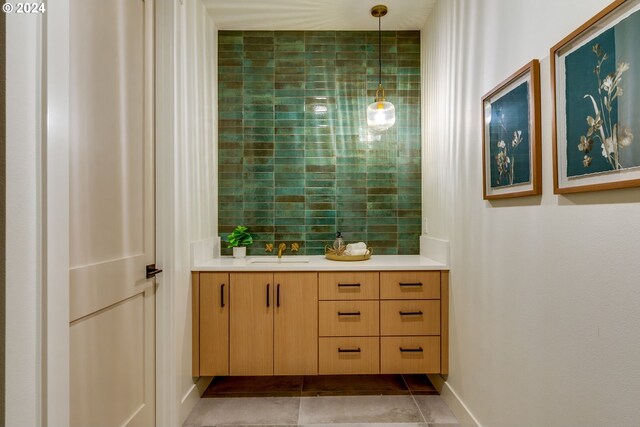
point(359, 409)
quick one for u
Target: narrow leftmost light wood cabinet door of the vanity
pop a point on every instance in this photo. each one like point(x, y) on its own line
point(214, 324)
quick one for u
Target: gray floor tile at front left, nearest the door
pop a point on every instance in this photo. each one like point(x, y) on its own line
point(242, 411)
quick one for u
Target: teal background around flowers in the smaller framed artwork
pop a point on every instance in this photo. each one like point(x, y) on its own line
point(510, 113)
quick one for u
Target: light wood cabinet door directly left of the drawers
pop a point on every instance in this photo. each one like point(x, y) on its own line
point(296, 324)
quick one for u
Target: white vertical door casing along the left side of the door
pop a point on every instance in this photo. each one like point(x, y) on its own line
point(56, 276)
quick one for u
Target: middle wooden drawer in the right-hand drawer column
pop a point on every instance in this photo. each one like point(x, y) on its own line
point(410, 317)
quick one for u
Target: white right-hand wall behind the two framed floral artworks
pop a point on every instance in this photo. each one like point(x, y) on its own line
point(545, 324)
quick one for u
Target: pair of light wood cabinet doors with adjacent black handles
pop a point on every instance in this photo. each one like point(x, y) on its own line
point(274, 323)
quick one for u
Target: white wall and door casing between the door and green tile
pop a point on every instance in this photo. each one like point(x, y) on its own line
point(186, 144)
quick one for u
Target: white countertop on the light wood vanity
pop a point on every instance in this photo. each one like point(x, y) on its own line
point(319, 263)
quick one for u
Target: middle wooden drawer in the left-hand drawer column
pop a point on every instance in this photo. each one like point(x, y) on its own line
point(349, 318)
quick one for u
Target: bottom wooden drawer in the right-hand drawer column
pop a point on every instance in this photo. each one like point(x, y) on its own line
point(410, 355)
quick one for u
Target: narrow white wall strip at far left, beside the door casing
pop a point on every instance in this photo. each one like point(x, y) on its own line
point(23, 238)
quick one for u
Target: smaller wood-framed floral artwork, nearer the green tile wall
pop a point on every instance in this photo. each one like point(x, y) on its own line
point(511, 136)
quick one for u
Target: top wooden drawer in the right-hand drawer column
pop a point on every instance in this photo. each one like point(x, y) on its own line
point(410, 285)
